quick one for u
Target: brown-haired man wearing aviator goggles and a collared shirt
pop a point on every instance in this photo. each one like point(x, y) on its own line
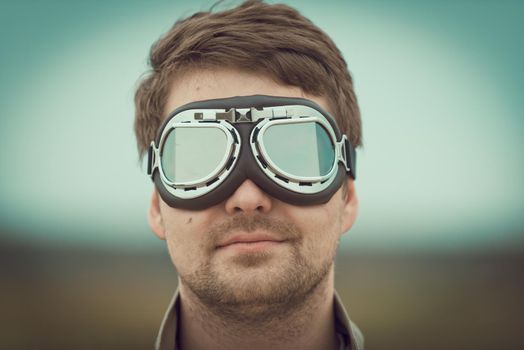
point(250, 123)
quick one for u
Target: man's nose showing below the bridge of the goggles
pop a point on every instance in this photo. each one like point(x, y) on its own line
point(248, 198)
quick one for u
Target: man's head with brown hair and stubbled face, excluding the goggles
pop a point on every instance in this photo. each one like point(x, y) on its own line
point(252, 251)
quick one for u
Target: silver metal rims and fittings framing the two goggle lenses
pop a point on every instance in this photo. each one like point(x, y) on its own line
point(264, 118)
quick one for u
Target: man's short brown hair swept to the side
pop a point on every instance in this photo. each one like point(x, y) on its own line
point(274, 38)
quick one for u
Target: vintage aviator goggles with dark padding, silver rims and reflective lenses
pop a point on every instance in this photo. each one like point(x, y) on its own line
point(289, 147)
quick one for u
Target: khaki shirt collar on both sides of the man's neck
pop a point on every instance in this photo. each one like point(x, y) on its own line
point(345, 328)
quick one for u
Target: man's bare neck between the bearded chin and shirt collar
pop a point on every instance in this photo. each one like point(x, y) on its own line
point(309, 325)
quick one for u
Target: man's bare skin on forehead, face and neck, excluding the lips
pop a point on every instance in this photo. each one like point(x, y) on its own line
point(277, 296)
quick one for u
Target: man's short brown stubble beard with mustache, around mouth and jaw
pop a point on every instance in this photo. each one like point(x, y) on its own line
point(259, 290)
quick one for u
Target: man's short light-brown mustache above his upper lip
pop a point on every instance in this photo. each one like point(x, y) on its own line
point(282, 229)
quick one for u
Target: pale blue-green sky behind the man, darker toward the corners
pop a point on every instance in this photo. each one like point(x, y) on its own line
point(440, 85)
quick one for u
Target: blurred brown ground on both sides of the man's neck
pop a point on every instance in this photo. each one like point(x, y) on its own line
point(72, 298)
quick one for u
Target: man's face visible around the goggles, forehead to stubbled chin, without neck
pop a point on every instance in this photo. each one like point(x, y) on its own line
point(252, 249)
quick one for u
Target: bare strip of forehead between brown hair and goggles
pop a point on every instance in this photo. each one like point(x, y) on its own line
point(205, 84)
